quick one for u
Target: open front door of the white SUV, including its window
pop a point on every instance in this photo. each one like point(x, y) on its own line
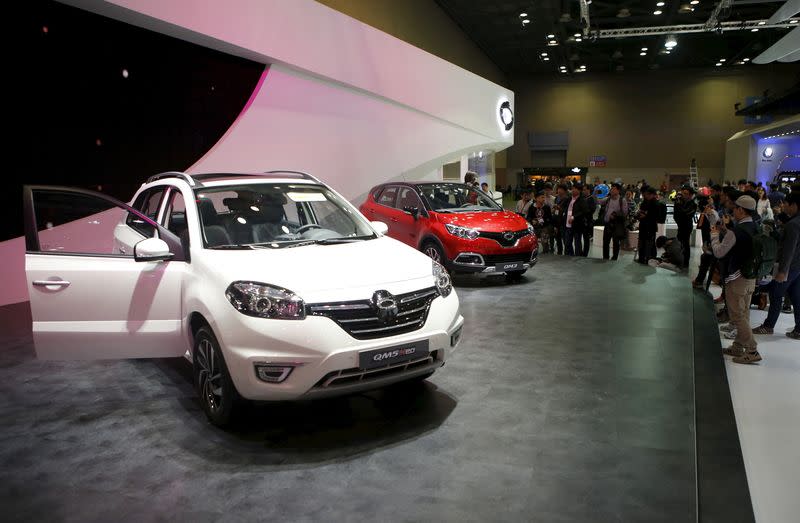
point(89, 300)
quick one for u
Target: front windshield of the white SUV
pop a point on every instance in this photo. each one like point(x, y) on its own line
point(276, 215)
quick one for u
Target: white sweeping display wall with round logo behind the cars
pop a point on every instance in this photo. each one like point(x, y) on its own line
point(338, 98)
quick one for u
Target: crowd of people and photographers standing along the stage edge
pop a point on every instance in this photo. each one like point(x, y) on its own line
point(750, 237)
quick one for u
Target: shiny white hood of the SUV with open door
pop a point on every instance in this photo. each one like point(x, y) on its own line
point(321, 272)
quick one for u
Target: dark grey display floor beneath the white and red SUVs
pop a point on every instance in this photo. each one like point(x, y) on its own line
point(570, 398)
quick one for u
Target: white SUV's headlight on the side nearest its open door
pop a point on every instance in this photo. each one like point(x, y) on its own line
point(265, 301)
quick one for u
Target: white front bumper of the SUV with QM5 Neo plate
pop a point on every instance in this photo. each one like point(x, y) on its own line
point(325, 358)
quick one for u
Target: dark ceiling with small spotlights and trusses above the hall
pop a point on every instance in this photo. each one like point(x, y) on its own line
point(495, 25)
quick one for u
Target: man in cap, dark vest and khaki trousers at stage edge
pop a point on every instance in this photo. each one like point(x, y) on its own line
point(738, 247)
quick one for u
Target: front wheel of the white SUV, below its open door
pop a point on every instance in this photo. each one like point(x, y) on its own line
point(218, 395)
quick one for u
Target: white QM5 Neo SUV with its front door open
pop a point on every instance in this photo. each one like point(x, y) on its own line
point(273, 285)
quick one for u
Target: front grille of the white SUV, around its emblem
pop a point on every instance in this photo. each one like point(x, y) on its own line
point(360, 318)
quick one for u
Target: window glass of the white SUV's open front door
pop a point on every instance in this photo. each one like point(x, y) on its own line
point(76, 223)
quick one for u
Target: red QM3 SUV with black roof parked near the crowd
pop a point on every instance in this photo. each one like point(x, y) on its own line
point(456, 225)
